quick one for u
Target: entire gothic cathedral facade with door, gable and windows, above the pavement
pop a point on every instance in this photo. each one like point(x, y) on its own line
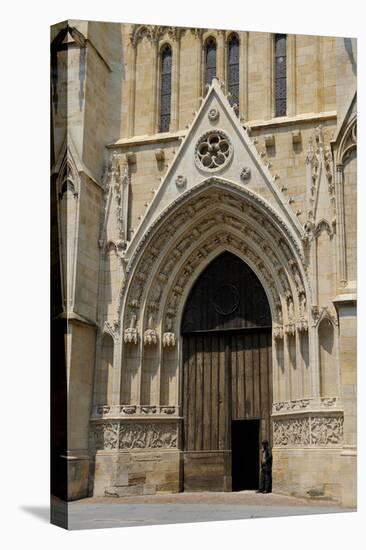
point(203, 212)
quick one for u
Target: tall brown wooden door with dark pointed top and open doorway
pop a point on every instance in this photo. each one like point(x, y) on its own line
point(227, 377)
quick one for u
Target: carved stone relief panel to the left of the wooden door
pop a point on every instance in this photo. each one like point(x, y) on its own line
point(124, 436)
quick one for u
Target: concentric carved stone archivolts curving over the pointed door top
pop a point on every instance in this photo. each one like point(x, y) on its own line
point(203, 214)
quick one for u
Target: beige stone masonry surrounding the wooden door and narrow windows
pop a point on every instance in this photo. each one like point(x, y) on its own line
point(105, 89)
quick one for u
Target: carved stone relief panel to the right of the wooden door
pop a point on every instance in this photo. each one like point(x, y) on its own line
point(308, 431)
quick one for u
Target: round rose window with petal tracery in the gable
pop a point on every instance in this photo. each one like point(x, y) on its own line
point(213, 150)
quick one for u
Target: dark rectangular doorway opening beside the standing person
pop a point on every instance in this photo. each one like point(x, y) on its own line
point(245, 454)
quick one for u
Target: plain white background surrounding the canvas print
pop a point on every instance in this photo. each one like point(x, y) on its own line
point(24, 271)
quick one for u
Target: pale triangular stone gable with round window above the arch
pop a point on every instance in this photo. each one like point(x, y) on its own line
point(216, 144)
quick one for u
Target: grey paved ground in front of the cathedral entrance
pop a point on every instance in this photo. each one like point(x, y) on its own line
point(189, 508)
